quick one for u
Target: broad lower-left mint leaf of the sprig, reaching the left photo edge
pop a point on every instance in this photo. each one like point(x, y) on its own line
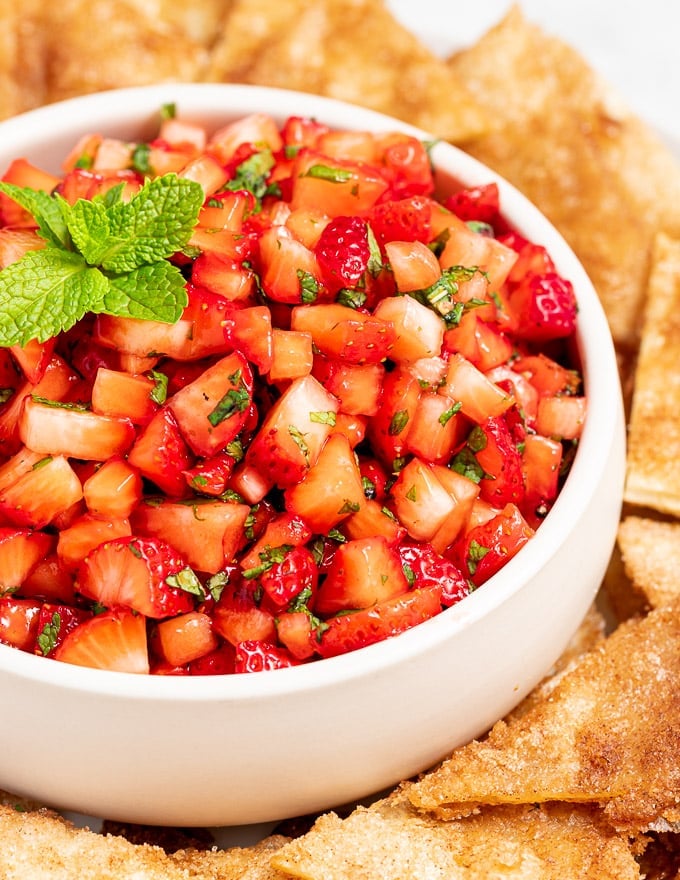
point(45, 292)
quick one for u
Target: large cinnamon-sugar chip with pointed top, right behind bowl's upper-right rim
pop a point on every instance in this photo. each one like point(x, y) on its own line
point(565, 139)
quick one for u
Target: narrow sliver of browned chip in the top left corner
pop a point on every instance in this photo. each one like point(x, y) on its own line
point(22, 85)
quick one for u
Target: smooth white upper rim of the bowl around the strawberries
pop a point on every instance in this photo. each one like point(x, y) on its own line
point(116, 108)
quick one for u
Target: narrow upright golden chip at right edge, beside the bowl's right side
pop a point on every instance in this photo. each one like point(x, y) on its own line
point(653, 476)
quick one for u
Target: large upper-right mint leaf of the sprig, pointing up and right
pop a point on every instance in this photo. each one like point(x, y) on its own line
point(154, 224)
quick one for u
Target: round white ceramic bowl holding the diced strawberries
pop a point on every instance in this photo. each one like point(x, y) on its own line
point(241, 749)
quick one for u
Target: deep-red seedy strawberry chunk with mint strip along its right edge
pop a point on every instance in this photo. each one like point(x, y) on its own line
point(343, 253)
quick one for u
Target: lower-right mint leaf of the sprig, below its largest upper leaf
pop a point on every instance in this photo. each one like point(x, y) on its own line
point(153, 293)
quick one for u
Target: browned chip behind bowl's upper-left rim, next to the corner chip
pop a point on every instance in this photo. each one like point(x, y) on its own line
point(96, 46)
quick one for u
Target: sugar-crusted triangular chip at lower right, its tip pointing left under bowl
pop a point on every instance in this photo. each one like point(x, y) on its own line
point(609, 733)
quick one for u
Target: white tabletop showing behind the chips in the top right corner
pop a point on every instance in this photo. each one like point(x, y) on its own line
point(633, 43)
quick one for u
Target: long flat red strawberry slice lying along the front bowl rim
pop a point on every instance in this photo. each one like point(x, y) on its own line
point(349, 632)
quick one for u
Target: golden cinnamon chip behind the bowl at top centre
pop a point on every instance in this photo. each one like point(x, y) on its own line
point(353, 50)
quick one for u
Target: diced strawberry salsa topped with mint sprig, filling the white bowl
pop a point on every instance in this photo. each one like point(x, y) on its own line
point(265, 398)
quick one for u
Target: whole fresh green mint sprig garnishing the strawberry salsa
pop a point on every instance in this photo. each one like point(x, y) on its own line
point(101, 255)
